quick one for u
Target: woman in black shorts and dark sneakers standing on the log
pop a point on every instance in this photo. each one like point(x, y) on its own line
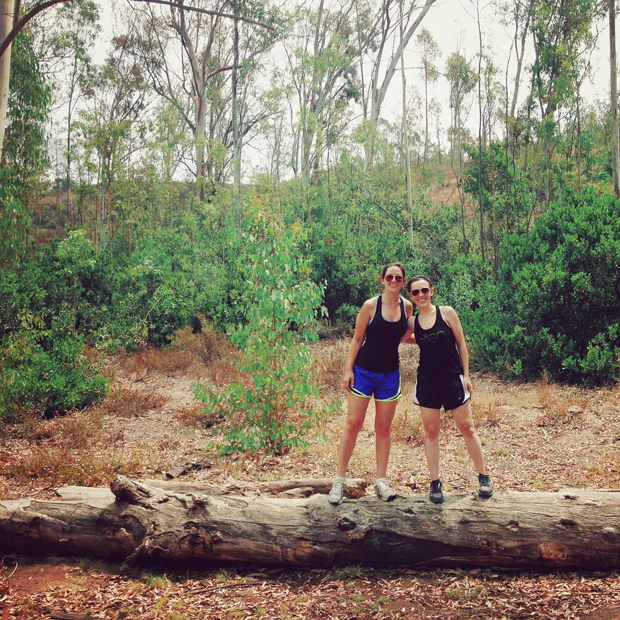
point(443, 380)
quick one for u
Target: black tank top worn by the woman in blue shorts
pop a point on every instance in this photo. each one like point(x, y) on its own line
point(379, 353)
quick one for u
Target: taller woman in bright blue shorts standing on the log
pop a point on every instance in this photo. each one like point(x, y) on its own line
point(373, 370)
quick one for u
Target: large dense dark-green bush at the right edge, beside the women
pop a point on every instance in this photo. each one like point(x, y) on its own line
point(554, 306)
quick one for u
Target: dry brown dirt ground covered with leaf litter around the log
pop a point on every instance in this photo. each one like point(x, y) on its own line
point(536, 436)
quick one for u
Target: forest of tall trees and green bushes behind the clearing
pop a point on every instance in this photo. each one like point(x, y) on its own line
point(223, 157)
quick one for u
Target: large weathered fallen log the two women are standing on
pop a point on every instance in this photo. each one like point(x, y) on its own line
point(568, 530)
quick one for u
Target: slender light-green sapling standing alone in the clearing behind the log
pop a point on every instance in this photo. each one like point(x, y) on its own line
point(281, 304)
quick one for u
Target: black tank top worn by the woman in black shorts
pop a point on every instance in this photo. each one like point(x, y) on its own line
point(439, 355)
